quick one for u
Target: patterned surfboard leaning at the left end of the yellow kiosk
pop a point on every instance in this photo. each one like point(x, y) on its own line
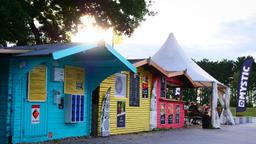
point(105, 117)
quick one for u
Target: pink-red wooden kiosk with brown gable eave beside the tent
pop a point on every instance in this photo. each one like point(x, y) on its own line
point(170, 104)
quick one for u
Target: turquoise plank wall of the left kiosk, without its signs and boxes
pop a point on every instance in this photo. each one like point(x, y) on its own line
point(22, 130)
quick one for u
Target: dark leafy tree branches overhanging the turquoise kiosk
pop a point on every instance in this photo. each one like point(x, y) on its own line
point(49, 21)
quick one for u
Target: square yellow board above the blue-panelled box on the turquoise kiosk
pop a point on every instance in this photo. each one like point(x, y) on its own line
point(73, 80)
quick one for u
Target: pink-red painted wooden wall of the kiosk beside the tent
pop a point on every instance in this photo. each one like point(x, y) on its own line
point(169, 103)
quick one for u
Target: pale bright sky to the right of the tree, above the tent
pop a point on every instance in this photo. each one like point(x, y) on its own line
point(212, 29)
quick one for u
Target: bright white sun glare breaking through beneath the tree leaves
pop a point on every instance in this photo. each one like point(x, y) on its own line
point(88, 31)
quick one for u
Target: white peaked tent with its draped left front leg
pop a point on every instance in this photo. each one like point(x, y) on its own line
point(171, 57)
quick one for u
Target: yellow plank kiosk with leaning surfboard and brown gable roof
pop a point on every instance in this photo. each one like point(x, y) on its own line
point(124, 100)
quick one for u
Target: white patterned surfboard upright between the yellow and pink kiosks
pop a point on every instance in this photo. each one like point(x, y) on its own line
point(153, 106)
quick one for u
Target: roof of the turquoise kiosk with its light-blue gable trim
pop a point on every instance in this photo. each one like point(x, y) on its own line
point(94, 51)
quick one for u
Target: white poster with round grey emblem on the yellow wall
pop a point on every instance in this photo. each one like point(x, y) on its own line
point(120, 85)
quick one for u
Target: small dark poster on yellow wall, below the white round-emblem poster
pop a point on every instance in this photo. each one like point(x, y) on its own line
point(121, 113)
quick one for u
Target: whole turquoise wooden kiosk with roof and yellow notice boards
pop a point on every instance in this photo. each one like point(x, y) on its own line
point(46, 90)
